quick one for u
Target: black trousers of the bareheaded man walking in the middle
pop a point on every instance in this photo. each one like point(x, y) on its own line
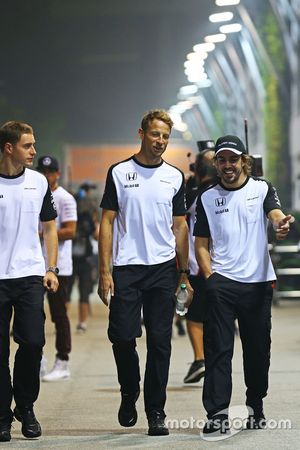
point(151, 288)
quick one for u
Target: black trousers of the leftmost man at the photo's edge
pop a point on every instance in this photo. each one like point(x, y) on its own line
point(26, 297)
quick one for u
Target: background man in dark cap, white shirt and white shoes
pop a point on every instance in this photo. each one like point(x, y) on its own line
point(66, 228)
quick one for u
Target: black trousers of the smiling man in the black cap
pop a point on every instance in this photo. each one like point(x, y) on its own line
point(250, 303)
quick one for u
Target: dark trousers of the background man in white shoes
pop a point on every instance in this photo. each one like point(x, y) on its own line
point(59, 316)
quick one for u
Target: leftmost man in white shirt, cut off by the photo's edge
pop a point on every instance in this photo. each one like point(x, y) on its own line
point(25, 199)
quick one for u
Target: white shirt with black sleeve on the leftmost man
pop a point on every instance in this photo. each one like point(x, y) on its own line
point(25, 199)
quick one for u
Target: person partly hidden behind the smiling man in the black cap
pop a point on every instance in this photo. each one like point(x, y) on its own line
point(205, 174)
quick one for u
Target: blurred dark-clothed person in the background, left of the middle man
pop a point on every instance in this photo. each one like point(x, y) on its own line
point(85, 261)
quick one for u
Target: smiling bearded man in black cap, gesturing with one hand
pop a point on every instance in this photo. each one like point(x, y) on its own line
point(232, 250)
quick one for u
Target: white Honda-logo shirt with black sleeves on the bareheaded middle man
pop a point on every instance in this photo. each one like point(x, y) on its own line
point(146, 199)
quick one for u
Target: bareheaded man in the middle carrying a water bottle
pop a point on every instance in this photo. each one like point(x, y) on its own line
point(143, 229)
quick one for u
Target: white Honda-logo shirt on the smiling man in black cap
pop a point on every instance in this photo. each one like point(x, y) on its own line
point(236, 221)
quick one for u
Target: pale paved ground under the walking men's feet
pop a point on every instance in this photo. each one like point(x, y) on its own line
point(82, 413)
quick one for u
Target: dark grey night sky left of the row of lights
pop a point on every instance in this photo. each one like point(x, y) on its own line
point(86, 71)
